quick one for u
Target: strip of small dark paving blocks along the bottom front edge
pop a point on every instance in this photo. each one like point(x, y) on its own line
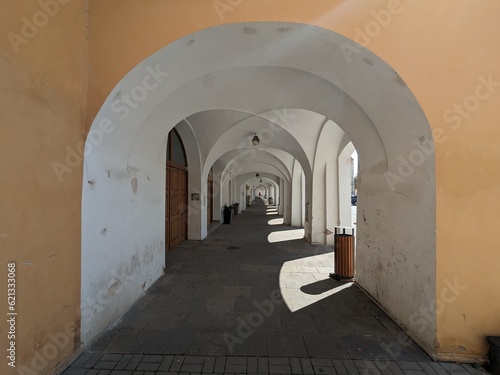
point(137, 364)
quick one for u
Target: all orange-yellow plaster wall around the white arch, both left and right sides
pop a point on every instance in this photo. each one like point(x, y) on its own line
point(440, 48)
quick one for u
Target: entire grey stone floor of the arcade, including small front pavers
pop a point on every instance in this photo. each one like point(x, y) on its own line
point(253, 297)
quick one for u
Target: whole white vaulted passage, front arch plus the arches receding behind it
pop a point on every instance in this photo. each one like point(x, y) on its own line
point(260, 79)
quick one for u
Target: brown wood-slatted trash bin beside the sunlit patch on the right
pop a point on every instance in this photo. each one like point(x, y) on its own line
point(344, 255)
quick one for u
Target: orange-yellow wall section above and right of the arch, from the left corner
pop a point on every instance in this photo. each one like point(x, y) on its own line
point(441, 49)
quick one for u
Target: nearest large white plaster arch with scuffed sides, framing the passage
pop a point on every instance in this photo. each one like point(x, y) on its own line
point(261, 73)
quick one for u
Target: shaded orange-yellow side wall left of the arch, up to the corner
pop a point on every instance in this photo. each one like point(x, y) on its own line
point(43, 80)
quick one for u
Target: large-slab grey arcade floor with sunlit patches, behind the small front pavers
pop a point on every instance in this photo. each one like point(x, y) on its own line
point(235, 293)
